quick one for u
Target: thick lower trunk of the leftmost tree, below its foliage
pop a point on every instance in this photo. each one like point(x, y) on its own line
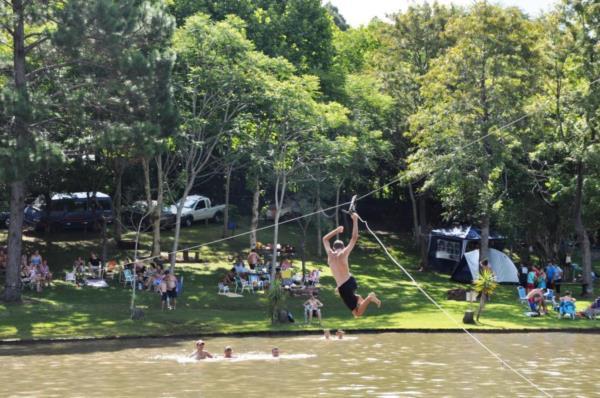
point(12, 287)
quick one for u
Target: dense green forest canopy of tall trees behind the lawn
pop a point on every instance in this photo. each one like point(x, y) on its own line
point(485, 111)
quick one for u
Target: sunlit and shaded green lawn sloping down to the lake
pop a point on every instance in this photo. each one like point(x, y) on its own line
point(65, 311)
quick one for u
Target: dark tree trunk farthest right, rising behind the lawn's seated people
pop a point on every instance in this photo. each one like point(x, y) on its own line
point(582, 234)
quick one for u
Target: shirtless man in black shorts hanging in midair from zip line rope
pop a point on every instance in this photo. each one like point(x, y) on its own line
point(337, 258)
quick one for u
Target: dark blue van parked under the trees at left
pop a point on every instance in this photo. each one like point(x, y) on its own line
point(75, 210)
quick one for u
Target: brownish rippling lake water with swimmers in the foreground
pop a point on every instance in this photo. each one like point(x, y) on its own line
point(362, 365)
